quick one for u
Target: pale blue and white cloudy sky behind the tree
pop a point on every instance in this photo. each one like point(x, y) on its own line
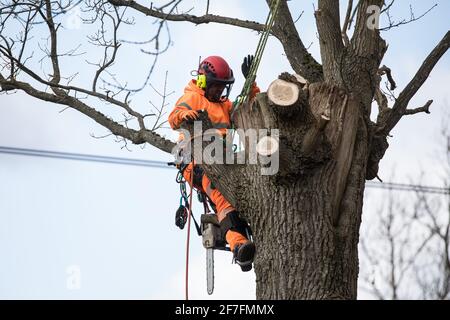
point(84, 230)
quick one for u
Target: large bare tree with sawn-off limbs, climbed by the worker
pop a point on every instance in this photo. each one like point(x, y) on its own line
point(306, 218)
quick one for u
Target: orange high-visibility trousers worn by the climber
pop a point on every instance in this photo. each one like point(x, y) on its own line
point(223, 207)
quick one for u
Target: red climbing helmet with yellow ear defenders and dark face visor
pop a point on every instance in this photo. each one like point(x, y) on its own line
point(214, 70)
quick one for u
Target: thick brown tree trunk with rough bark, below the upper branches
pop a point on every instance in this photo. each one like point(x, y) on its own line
point(307, 217)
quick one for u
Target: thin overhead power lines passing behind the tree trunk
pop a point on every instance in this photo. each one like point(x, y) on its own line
point(163, 165)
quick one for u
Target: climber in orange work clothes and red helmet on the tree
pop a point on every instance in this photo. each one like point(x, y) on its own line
point(209, 93)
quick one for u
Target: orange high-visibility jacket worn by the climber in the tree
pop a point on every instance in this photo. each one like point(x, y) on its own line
point(194, 99)
